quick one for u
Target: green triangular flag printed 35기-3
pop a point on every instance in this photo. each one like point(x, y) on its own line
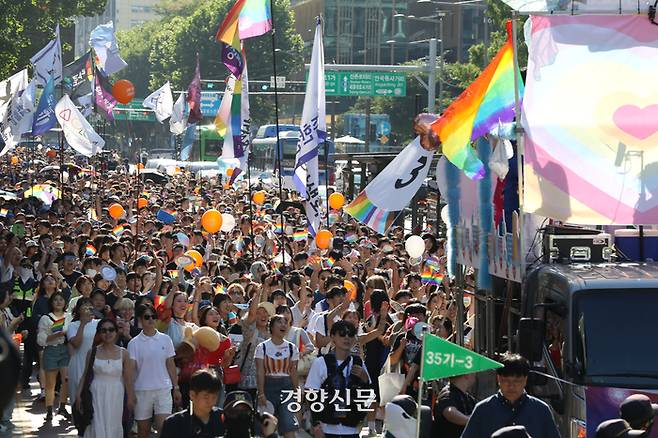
point(442, 358)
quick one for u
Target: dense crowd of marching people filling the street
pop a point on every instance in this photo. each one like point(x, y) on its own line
point(126, 332)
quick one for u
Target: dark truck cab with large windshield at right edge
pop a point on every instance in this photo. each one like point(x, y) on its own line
point(589, 326)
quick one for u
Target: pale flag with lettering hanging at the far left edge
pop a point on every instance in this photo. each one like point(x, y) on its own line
point(19, 117)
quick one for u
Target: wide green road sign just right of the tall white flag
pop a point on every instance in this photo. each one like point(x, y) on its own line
point(364, 83)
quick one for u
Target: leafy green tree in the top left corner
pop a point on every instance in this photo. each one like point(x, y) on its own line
point(27, 26)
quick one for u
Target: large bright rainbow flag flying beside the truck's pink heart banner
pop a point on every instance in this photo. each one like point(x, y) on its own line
point(486, 103)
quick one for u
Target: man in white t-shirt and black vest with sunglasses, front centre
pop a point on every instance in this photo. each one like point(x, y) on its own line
point(335, 381)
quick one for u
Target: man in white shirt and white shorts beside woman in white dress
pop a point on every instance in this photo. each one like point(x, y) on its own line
point(152, 356)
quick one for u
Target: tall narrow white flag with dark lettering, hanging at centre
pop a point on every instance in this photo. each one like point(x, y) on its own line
point(313, 132)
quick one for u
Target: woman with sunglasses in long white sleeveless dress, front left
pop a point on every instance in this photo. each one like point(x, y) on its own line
point(111, 378)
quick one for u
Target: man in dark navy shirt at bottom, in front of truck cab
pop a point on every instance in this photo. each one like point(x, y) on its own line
point(511, 405)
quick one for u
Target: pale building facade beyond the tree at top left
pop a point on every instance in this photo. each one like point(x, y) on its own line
point(125, 14)
